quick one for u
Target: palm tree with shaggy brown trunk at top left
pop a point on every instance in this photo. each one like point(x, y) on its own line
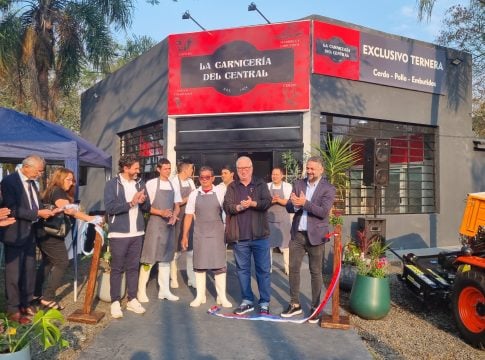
point(45, 44)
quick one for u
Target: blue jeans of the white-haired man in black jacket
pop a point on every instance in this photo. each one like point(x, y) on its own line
point(260, 250)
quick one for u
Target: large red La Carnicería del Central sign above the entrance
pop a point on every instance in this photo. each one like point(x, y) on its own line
point(252, 69)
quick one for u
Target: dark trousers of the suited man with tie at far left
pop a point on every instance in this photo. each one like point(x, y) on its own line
point(19, 275)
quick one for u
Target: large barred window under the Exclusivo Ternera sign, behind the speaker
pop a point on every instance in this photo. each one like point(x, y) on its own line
point(412, 165)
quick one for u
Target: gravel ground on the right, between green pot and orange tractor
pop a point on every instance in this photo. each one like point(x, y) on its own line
point(412, 330)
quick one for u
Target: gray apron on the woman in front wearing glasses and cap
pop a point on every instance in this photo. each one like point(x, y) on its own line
point(209, 246)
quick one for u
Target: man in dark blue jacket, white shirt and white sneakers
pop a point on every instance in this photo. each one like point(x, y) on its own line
point(125, 200)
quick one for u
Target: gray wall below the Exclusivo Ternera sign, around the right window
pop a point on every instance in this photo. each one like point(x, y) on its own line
point(459, 168)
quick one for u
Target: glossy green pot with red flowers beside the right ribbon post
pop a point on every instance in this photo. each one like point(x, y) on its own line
point(370, 297)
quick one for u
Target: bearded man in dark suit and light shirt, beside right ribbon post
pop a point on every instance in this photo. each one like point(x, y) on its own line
point(311, 200)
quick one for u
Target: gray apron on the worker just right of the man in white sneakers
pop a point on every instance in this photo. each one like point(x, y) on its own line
point(159, 242)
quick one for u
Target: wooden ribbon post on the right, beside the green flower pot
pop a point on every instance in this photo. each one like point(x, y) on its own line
point(336, 320)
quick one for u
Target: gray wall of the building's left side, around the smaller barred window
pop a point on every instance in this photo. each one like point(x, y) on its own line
point(131, 97)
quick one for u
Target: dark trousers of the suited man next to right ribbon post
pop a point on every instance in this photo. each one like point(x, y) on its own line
point(298, 247)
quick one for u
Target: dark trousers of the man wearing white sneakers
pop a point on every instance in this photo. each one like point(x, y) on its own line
point(125, 257)
